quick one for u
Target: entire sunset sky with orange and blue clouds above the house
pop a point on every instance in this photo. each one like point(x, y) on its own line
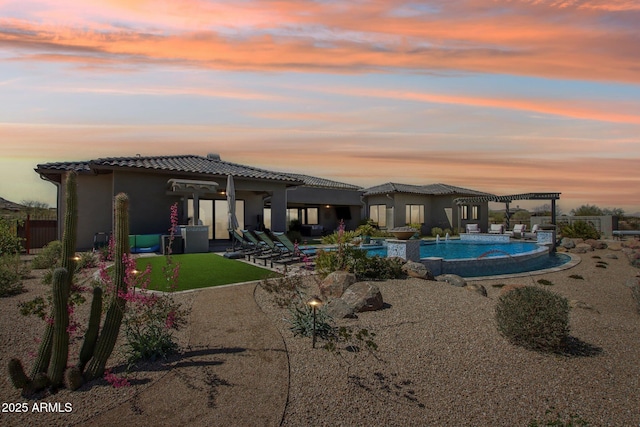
point(499, 96)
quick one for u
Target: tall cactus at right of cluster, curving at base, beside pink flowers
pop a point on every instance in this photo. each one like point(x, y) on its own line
point(113, 319)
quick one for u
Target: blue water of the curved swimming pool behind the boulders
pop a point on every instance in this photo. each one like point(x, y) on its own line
point(481, 259)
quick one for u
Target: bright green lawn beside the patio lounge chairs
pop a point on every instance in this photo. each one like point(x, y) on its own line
point(202, 271)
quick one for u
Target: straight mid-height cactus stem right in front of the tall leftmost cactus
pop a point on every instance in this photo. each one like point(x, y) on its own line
point(60, 345)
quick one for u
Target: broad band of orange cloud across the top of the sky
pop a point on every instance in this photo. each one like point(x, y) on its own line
point(521, 38)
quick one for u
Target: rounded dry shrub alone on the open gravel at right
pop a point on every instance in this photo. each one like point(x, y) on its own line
point(534, 318)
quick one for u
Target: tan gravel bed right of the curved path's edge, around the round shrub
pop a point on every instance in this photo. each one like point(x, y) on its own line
point(441, 361)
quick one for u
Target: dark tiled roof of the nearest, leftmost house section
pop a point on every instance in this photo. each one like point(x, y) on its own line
point(210, 165)
